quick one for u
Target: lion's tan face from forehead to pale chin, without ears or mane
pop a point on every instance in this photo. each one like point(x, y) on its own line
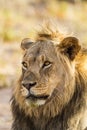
point(40, 72)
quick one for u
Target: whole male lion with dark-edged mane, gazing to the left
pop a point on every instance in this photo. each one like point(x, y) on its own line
point(52, 89)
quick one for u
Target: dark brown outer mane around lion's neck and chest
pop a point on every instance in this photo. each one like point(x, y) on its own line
point(70, 109)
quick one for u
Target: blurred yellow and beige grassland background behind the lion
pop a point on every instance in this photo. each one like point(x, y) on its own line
point(19, 19)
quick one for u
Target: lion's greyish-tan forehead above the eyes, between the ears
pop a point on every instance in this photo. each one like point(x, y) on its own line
point(41, 48)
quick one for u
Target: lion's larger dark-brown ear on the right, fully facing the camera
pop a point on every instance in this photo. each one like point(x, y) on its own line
point(70, 47)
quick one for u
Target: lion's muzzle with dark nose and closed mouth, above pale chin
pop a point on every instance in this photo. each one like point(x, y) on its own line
point(30, 91)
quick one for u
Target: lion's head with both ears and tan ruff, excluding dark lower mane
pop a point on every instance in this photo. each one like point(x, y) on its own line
point(48, 74)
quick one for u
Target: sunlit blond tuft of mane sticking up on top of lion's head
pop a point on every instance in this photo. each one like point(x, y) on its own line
point(48, 31)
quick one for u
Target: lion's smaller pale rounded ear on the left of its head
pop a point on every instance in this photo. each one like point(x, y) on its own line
point(26, 43)
